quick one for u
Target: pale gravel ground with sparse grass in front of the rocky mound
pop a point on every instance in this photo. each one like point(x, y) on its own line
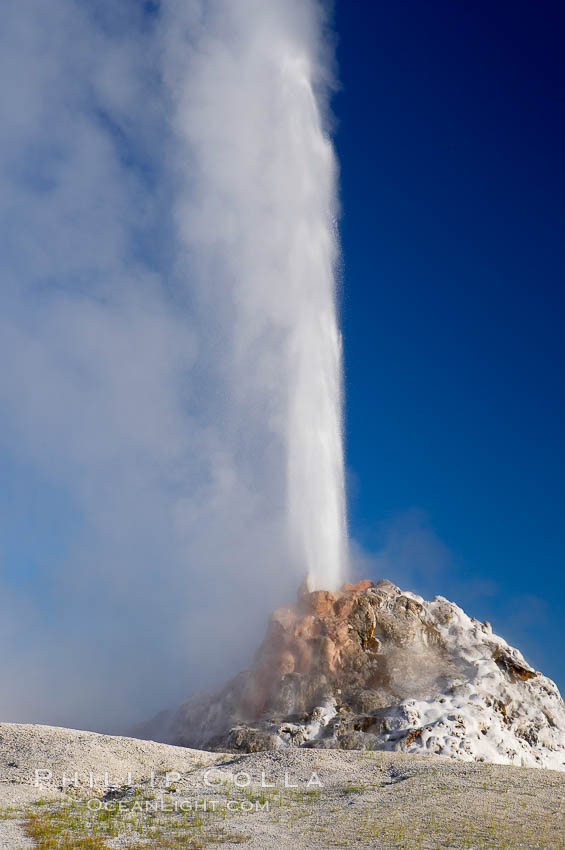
point(300, 799)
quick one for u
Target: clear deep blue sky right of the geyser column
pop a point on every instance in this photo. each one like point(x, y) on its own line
point(450, 138)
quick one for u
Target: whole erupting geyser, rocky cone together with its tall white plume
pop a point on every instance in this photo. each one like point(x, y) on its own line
point(363, 665)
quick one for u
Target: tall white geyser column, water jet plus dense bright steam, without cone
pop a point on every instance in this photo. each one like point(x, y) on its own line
point(257, 208)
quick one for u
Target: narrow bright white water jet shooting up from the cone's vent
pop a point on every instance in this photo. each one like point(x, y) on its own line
point(316, 492)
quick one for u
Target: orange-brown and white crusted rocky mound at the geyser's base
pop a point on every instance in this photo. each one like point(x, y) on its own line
point(373, 667)
